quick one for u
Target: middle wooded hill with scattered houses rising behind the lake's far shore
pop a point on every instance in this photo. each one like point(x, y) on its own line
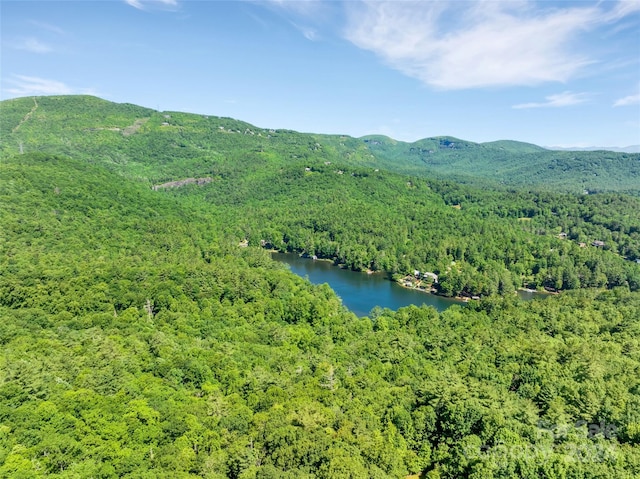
point(477, 242)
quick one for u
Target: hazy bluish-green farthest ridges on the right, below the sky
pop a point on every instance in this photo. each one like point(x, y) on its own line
point(513, 163)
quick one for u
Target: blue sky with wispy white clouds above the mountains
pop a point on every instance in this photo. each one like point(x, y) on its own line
point(550, 73)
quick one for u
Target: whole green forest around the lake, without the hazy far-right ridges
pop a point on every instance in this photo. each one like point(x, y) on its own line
point(138, 340)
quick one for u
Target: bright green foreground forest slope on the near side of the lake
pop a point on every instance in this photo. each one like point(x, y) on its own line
point(138, 340)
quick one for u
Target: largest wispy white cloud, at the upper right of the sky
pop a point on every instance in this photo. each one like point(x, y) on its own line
point(458, 45)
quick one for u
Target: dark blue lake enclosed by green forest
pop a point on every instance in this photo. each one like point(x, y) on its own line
point(361, 292)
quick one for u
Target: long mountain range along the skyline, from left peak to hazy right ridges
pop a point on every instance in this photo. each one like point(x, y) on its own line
point(178, 145)
